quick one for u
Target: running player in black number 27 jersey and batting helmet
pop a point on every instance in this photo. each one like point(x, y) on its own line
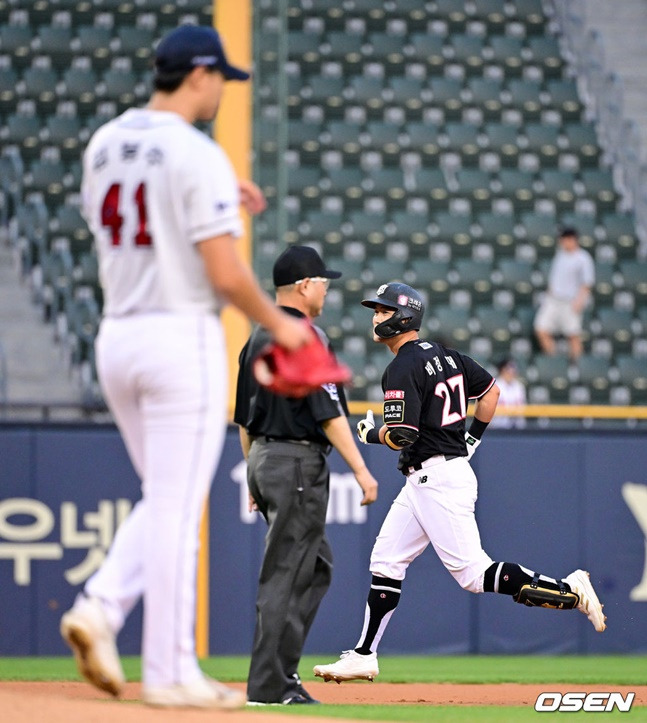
point(427, 388)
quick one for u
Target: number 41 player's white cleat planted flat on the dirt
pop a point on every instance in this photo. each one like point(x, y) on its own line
point(201, 693)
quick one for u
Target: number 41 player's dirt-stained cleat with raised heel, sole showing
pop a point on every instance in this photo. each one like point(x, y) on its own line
point(86, 630)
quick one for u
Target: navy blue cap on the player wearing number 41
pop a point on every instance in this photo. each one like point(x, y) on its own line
point(191, 46)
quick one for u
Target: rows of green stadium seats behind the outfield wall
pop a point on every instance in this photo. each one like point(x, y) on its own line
point(442, 143)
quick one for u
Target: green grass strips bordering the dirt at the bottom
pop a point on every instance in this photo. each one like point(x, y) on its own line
point(604, 670)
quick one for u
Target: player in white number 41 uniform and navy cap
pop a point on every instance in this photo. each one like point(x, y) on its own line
point(163, 204)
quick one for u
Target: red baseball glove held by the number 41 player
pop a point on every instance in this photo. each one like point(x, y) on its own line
point(299, 372)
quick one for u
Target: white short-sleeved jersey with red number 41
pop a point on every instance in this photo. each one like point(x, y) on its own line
point(154, 186)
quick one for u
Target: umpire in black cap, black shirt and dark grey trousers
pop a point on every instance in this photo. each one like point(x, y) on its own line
point(286, 442)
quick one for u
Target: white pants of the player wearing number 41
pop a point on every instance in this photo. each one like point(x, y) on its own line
point(164, 378)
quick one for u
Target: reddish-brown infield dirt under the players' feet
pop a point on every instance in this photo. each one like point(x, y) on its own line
point(22, 702)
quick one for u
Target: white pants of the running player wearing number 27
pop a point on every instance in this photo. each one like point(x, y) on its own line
point(436, 505)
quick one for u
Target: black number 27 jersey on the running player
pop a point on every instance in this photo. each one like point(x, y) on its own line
point(427, 388)
